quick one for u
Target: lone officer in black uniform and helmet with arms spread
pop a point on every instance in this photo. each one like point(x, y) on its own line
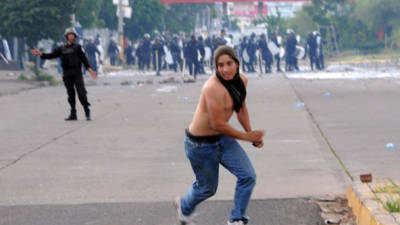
point(72, 58)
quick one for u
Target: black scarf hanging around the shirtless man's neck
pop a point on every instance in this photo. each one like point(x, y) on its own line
point(236, 89)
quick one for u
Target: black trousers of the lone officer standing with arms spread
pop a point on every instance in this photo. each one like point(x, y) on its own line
point(76, 82)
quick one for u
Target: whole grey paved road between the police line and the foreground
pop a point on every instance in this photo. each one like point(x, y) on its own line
point(129, 161)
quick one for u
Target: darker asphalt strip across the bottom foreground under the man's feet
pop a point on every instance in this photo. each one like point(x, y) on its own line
point(267, 212)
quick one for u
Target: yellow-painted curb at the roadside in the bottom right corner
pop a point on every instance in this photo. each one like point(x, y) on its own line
point(368, 206)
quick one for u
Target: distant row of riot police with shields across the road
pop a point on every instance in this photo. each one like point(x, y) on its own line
point(192, 54)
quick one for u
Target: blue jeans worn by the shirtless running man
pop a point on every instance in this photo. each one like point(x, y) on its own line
point(205, 159)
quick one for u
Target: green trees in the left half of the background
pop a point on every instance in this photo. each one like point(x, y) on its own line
point(33, 20)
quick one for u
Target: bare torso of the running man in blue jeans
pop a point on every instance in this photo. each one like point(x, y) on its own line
point(200, 125)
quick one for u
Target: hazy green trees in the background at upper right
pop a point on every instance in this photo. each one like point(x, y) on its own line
point(367, 25)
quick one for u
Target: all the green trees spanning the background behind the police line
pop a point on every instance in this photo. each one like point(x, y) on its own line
point(358, 24)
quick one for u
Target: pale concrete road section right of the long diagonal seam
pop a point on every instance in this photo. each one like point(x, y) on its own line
point(359, 119)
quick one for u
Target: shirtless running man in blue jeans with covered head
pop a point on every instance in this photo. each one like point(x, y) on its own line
point(211, 141)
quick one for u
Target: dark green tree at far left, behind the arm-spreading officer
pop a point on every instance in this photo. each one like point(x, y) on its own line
point(33, 20)
